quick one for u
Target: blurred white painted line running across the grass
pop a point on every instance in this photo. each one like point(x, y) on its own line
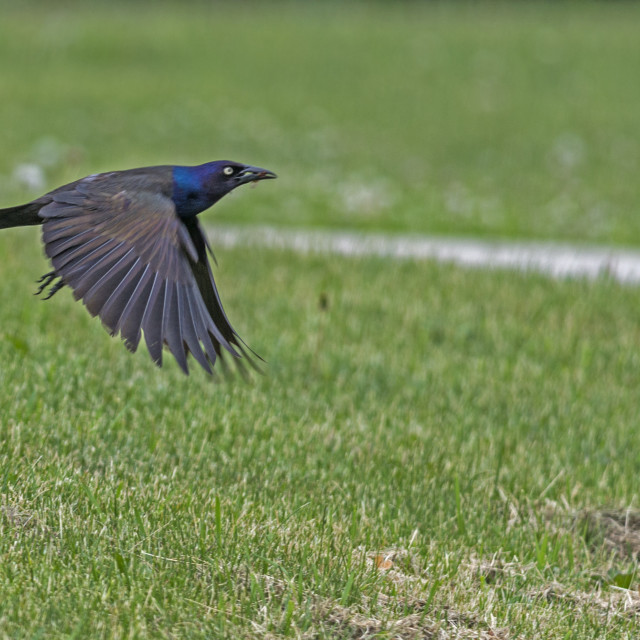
point(557, 260)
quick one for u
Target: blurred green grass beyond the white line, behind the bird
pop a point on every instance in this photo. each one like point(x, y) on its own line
point(494, 120)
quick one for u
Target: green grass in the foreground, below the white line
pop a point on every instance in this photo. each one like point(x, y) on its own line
point(461, 420)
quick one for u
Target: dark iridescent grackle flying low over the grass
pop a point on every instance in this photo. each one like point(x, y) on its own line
point(129, 245)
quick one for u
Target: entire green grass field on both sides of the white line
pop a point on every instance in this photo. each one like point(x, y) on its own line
point(433, 452)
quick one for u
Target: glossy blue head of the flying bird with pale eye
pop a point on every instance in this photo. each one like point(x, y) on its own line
point(197, 188)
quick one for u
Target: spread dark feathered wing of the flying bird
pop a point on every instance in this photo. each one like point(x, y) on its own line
point(138, 267)
